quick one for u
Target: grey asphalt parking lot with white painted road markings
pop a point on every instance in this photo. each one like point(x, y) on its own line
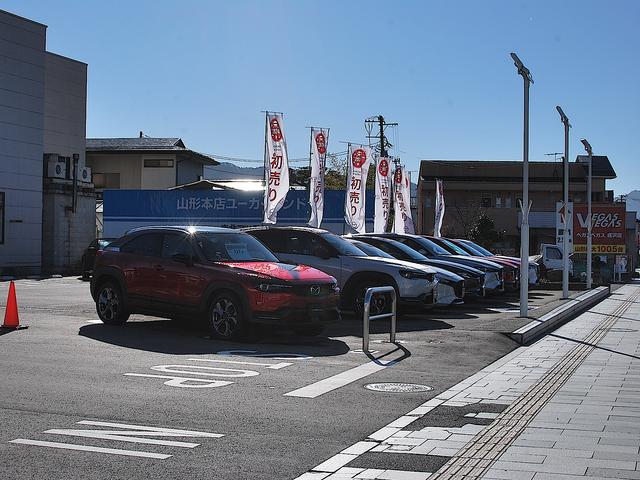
point(212, 409)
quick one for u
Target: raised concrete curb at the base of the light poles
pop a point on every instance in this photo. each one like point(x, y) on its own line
point(556, 317)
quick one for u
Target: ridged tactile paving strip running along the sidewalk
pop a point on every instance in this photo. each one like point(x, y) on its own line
point(486, 447)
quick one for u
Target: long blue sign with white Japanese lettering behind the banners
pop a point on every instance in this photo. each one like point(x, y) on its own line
point(126, 209)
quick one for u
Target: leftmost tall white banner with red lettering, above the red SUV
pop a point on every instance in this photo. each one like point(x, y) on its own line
point(276, 168)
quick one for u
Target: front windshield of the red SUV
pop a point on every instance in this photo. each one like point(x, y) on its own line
point(232, 247)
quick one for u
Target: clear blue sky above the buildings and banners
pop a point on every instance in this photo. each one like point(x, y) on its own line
point(203, 71)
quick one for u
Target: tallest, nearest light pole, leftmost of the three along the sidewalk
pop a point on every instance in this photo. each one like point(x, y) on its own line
point(524, 230)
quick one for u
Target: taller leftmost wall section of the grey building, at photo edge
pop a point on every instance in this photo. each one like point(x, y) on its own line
point(22, 67)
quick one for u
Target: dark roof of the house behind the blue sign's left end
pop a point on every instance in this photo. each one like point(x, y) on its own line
point(146, 145)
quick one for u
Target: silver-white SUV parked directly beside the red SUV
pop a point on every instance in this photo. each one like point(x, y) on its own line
point(415, 285)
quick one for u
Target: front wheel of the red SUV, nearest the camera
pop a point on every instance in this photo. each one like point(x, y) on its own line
point(226, 317)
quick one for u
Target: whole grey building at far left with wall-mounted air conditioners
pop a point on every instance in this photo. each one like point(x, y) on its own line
point(43, 226)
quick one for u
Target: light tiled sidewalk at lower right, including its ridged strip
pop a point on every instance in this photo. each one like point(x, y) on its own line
point(567, 407)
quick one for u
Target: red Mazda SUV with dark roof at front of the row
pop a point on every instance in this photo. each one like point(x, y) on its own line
point(225, 276)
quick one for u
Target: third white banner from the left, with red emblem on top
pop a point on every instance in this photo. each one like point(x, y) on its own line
point(359, 159)
